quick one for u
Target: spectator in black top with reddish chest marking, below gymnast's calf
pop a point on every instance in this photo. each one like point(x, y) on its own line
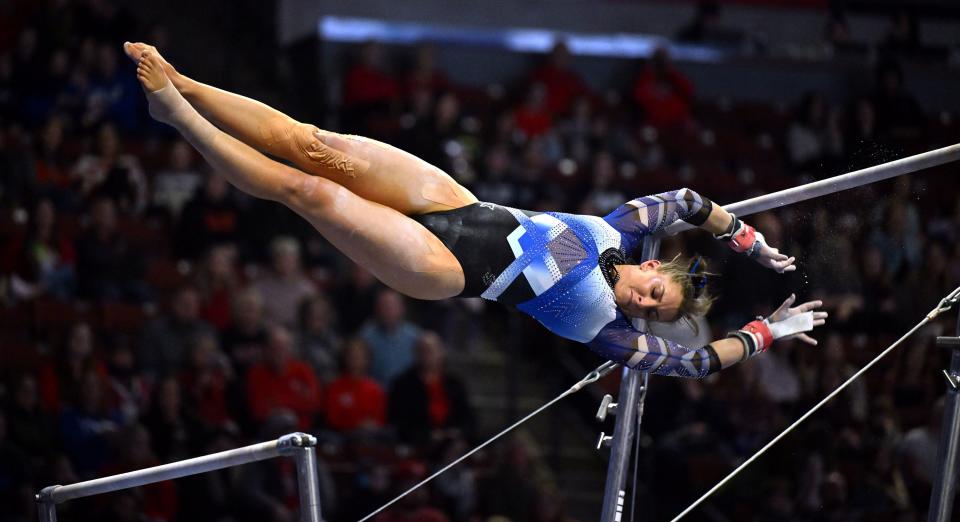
point(212, 216)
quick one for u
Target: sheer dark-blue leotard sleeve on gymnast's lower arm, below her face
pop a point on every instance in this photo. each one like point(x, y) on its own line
point(620, 342)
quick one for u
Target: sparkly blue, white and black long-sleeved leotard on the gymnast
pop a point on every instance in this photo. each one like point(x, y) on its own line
point(555, 267)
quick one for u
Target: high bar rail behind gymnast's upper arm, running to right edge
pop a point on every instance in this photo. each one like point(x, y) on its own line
point(827, 186)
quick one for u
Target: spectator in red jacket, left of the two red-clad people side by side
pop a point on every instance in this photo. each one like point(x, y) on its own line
point(283, 382)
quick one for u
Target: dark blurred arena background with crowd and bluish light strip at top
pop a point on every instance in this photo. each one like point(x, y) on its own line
point(150, 313)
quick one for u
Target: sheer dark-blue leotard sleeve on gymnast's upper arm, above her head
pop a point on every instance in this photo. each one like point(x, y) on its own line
point(649, 214)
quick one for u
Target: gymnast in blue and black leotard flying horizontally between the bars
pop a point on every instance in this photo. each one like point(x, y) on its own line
point(421, 233)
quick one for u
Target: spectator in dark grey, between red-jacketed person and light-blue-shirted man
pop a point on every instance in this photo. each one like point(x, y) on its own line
point(319, 340)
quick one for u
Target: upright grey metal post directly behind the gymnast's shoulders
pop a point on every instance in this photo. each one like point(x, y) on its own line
point(630, 406)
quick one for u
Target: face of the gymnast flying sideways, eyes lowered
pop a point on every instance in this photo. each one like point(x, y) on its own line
point(643, 292)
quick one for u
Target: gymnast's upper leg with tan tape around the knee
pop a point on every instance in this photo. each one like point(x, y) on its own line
point(373, 170)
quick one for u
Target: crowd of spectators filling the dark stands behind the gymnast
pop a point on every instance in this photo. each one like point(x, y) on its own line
point(149, 312)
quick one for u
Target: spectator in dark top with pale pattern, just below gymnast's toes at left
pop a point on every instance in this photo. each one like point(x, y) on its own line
point(111, 173)
